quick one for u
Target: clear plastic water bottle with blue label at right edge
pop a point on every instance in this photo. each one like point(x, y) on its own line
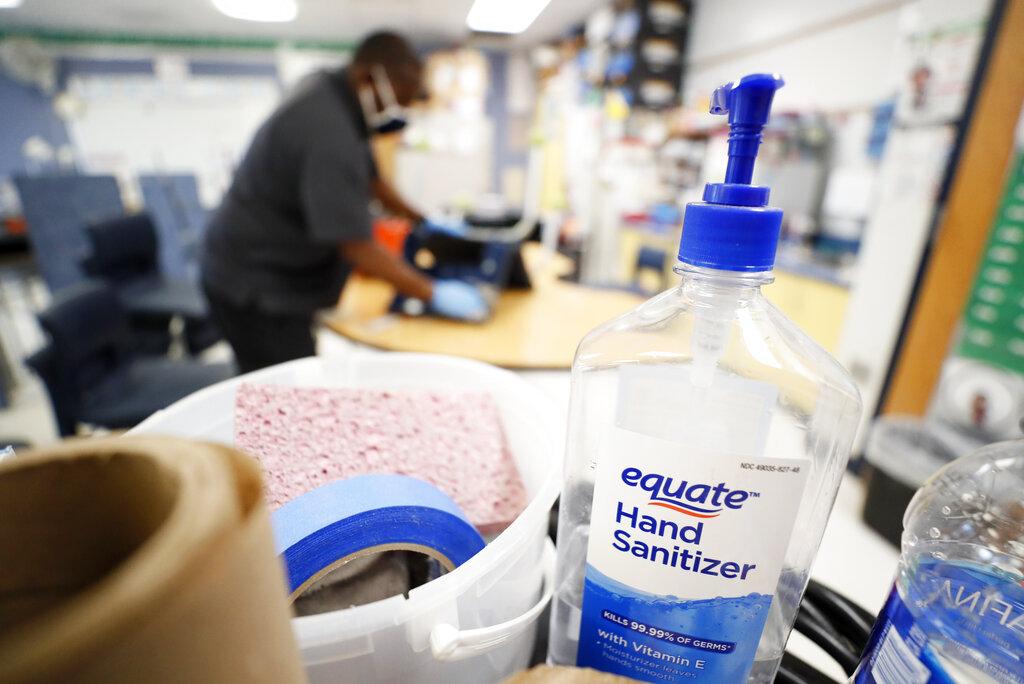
point(957, 611)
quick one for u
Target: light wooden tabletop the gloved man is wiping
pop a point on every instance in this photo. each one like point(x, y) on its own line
point(531, 329)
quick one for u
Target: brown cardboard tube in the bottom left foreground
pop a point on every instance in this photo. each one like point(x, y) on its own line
point(140, 560)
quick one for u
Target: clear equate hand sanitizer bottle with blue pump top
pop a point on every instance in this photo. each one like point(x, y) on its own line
point(707, 441)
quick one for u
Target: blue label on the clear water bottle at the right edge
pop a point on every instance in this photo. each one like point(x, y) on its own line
point(958, 623)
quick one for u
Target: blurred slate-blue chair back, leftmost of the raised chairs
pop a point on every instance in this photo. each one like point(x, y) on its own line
point(57, 209)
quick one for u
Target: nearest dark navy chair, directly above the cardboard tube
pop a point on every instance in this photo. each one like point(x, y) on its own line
point(92, 375)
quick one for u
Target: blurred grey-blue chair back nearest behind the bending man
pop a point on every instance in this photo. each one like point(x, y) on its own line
point(174, 203)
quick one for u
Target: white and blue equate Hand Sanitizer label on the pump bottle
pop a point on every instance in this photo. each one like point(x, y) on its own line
point(687, 543)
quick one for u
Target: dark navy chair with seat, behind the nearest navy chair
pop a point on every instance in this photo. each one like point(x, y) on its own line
point(124, 253)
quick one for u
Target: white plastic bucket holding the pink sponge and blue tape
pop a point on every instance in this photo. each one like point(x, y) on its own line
point(475, 625)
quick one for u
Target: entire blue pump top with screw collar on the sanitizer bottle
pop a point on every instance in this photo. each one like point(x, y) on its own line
point(735, 229)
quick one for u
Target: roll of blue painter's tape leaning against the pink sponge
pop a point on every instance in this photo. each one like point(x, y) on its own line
point(330, 526)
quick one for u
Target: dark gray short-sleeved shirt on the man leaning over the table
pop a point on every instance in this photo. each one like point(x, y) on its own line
point(303, 188)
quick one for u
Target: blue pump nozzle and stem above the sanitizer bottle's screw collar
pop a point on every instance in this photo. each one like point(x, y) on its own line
point(748, 102)
